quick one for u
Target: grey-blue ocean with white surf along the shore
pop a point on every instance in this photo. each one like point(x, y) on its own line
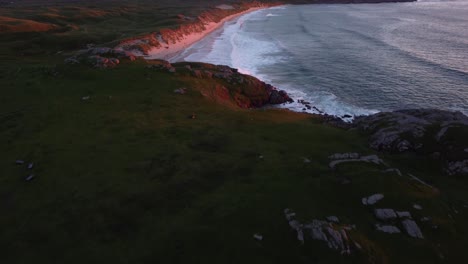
point(351, 59)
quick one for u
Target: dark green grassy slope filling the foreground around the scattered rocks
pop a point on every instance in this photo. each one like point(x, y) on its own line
point(123, 174)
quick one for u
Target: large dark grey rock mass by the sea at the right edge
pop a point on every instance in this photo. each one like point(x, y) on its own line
point(440, 134)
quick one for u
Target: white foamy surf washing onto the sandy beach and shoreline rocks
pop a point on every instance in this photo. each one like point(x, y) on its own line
point(251, 51)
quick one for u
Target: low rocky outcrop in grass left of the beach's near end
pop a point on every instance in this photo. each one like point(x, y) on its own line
point(102, 57)
